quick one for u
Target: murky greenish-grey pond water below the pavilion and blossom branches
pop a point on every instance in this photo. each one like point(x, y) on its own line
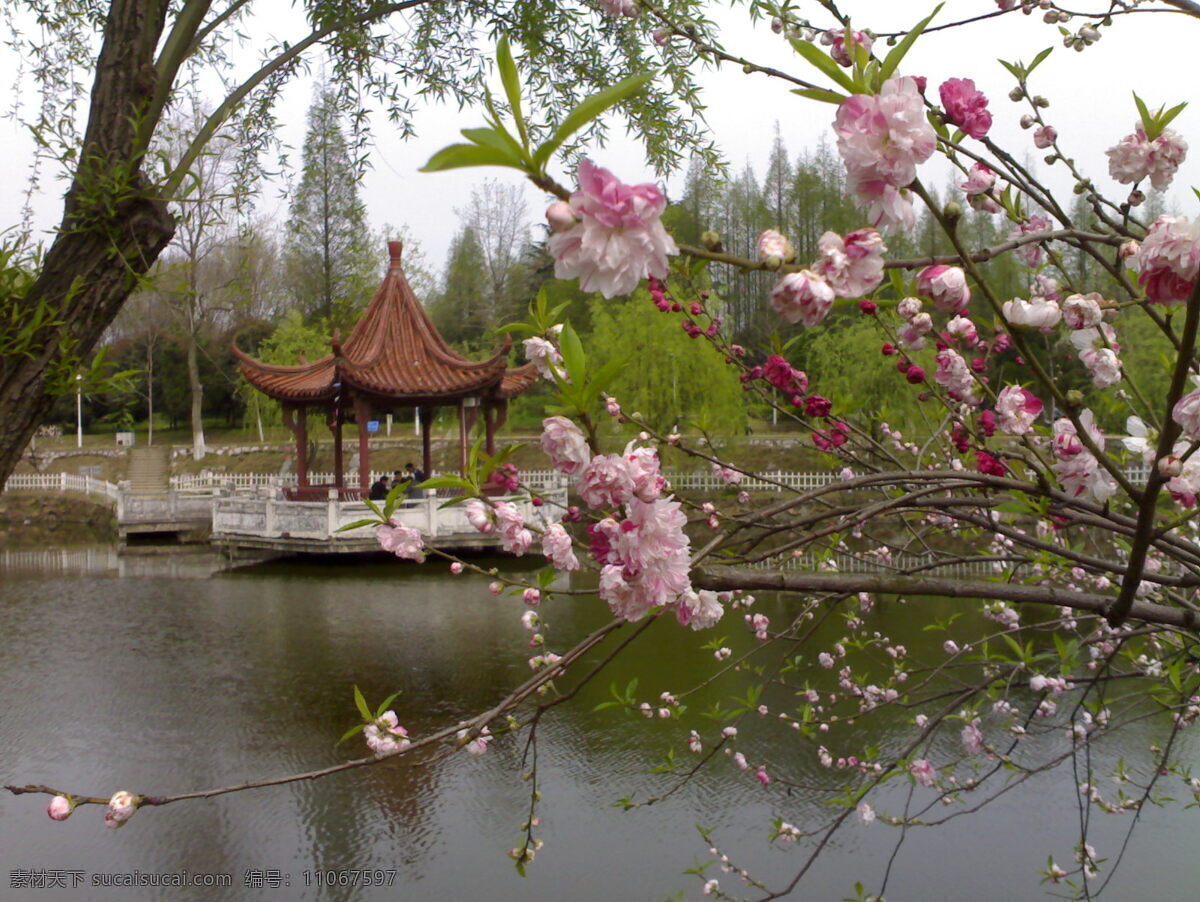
point(161, 676)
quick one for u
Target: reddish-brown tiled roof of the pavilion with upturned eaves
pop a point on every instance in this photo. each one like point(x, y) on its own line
point(394, 354)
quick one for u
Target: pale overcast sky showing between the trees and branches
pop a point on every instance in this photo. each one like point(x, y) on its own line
point(1090, 93)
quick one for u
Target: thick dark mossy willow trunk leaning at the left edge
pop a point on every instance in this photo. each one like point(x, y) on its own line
point(113, 230)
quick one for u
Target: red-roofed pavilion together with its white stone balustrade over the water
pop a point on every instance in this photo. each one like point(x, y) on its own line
point(394, 359)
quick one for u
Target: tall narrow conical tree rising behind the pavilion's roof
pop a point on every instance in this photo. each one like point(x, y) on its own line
point(332, 264)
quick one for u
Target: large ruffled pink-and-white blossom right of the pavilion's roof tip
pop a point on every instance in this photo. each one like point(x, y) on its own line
point(620, 239)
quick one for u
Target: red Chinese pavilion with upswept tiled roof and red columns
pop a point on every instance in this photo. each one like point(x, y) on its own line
point(393, 359)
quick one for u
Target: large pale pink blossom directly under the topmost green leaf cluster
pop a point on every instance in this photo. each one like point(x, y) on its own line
point(883, 139)
